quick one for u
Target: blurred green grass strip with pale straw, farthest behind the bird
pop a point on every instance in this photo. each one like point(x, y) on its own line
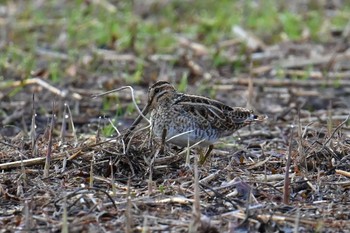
point(60, 38)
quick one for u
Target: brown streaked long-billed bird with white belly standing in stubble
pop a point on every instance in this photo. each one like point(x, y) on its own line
point(186, 120)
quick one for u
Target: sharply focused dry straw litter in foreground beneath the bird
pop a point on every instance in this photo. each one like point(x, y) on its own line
point(241, 188)
